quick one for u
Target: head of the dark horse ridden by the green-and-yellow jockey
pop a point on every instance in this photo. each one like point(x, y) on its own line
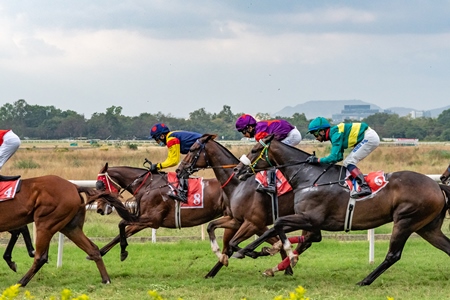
point(257, 159)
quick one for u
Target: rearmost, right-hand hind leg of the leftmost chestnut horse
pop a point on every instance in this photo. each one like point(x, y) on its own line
point(76, 235)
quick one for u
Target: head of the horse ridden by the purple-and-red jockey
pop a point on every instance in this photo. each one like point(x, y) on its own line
point(196, 158)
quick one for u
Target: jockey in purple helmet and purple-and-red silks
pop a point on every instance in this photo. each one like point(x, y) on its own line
point(283, 131)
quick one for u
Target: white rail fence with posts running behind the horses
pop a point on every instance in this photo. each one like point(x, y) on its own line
point(91, 183)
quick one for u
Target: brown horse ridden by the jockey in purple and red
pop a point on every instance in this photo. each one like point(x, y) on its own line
point(251, 211)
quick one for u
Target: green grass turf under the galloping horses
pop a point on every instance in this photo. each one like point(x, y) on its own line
point(329, 270)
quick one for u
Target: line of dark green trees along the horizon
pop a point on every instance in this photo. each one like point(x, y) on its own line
point(49, 122)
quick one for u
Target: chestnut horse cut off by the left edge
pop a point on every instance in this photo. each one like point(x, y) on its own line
point(53, 204)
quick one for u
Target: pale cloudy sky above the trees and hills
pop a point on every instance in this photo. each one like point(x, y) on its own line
point(178, 56)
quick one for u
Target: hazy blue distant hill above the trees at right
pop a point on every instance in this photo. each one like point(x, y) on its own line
point(327, 108)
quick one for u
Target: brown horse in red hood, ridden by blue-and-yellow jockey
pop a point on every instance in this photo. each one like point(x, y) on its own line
point(155, 209)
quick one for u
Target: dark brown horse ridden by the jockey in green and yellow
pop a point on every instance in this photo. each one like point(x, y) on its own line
point(412, 201)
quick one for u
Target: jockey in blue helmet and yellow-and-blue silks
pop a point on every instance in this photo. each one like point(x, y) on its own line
point(177, 142)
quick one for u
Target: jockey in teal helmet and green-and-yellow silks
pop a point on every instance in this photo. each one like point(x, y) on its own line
point(360, 136)
